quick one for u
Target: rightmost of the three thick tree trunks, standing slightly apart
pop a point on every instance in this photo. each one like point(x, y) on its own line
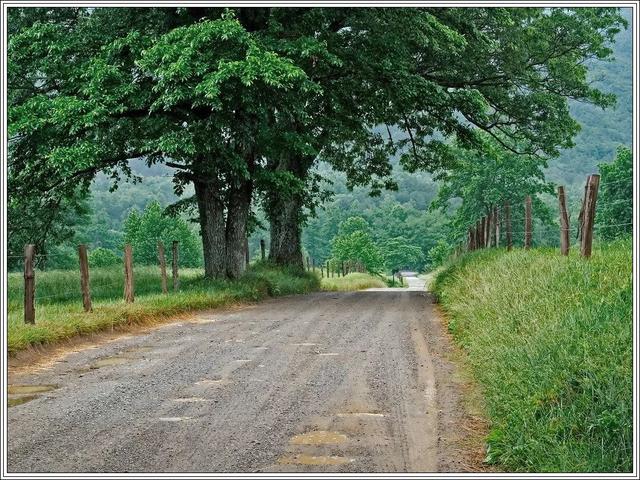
point(285, 222)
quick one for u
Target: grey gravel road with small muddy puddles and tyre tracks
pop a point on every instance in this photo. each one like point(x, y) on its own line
point(347, 382)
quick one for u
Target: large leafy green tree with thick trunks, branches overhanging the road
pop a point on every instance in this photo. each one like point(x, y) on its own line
point(247, 99)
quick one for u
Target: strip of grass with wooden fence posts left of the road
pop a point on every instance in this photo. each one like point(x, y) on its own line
point(59, 317)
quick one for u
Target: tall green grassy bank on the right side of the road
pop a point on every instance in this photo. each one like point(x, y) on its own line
point(549, 340)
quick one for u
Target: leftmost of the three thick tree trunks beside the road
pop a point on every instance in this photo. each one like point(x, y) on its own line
point(212, 228)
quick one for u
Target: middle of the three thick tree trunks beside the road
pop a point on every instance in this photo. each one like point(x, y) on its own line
point(238, 211)
